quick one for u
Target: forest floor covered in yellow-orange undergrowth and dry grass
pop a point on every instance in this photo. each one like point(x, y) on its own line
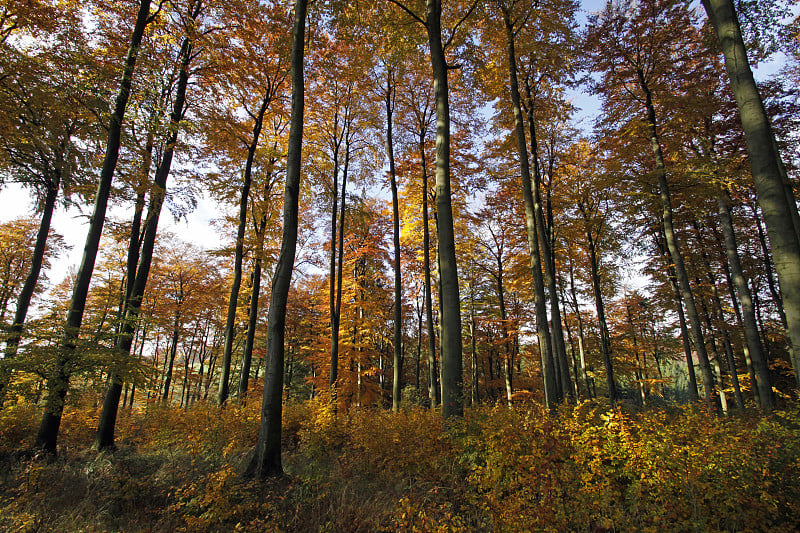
point(585, 468)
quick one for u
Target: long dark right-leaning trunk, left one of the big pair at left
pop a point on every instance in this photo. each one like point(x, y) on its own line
point(58, 382)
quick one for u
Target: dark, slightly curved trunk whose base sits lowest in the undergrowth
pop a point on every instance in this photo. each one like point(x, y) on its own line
point(266, 459)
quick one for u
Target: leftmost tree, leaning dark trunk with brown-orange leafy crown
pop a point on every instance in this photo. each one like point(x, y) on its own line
point(46, 105)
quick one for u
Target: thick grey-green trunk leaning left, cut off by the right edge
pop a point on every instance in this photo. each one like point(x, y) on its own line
point(775, 198)
